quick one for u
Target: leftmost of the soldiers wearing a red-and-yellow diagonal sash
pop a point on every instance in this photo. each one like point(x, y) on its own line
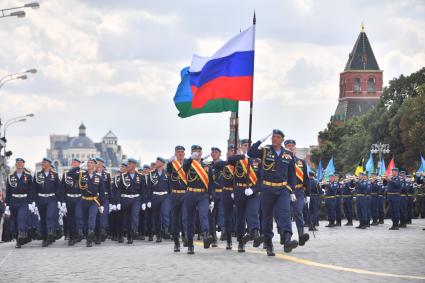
point(178, 181)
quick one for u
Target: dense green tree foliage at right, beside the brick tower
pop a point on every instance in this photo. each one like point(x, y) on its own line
point(399, 120)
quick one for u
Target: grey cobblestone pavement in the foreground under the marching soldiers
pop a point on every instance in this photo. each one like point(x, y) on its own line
point(341, 254)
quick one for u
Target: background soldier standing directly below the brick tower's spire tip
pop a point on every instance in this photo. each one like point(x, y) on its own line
point(362, 191)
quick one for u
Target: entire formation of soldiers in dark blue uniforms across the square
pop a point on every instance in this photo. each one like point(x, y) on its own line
point(177, 198)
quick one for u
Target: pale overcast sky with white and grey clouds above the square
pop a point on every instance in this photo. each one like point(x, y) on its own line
point(115, 66)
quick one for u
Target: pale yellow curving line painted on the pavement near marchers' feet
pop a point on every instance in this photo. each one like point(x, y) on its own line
point(330, 266)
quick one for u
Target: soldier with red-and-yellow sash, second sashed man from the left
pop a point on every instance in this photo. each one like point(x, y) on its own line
point(199, 195)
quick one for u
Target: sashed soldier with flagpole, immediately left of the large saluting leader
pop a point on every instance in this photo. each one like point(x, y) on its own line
point(246, 197)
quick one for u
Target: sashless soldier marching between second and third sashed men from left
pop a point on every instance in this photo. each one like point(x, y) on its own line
point(216, 219)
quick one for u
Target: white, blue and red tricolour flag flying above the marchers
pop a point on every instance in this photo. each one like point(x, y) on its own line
point(228, 74)
